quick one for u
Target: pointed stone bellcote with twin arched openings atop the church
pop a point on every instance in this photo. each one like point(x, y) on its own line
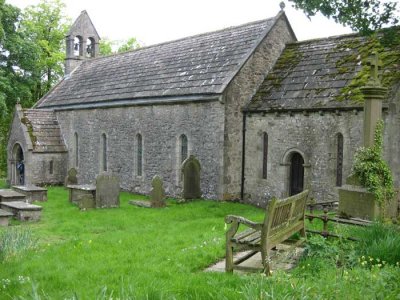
point(82, 42)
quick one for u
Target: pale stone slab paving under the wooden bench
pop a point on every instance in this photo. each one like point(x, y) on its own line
point(285, 257)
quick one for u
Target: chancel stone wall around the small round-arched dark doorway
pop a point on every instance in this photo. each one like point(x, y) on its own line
point(314, 136)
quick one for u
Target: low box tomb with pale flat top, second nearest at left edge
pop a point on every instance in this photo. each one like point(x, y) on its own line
point(23, 211)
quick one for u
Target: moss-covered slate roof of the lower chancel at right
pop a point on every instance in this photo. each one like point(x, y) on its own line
point(315, 74)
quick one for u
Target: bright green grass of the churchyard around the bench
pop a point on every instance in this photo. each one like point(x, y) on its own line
point(138, 253)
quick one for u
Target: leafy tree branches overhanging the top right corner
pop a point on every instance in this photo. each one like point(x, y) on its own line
point(364, 16)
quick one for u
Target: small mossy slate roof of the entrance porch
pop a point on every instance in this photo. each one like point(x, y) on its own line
point(44, 130)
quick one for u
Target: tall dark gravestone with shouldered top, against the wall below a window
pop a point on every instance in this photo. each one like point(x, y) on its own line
point(191, 178)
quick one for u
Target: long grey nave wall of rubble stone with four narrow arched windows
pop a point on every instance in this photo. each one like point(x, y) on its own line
point(160, 127)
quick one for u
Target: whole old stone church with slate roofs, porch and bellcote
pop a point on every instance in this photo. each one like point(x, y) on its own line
point(264, 114)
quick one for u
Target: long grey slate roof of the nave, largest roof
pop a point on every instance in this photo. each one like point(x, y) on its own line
point(197, 65)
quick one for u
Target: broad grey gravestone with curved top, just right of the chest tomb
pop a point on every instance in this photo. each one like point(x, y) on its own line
point(107, 190)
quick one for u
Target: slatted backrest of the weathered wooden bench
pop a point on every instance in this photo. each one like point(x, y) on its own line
point(283, 218)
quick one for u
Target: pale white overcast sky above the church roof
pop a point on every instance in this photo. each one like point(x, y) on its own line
point(155, 21)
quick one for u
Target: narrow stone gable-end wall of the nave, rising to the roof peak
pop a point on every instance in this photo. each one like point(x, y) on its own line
point(239, 93)
